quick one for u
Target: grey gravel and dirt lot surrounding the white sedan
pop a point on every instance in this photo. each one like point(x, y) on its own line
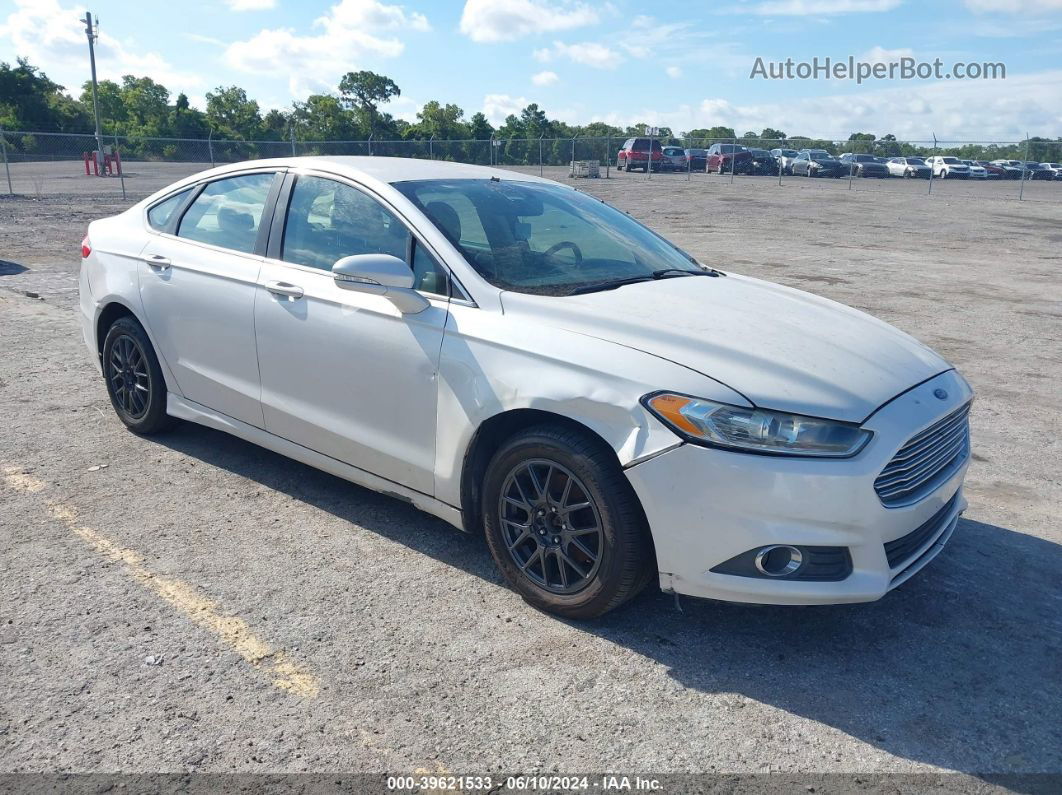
point(193, 603)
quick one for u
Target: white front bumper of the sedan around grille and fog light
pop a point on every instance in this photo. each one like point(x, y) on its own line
point(707, 507)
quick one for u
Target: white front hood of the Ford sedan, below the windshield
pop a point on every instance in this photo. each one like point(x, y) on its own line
point(780, 348)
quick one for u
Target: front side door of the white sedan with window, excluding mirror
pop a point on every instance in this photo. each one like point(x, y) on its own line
point(346, 373)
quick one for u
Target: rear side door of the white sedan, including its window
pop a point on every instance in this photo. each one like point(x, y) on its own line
point(198, 284)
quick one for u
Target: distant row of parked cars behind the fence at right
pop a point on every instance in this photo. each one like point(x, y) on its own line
point(643, 154)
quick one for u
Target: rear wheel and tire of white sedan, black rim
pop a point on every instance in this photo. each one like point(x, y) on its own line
point(134, 381)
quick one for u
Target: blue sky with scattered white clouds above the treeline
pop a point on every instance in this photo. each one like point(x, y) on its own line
point(681, 64)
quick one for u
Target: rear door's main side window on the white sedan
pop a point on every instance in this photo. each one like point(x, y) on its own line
point(228, 213)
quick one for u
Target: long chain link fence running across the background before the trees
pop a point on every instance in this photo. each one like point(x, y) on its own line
point(49, 164)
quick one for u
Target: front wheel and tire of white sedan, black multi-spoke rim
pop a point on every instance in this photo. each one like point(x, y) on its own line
point(522, 540)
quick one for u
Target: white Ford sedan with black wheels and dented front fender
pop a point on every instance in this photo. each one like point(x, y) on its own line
point(523, 360)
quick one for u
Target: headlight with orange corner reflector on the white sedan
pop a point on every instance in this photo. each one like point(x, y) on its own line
point(756, 430)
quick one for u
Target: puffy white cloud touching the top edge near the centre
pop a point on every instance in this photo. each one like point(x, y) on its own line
point(507, 21)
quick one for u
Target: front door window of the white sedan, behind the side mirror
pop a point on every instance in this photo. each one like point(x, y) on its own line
point(328, 221)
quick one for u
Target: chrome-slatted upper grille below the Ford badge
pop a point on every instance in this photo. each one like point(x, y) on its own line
point(928, 460)
